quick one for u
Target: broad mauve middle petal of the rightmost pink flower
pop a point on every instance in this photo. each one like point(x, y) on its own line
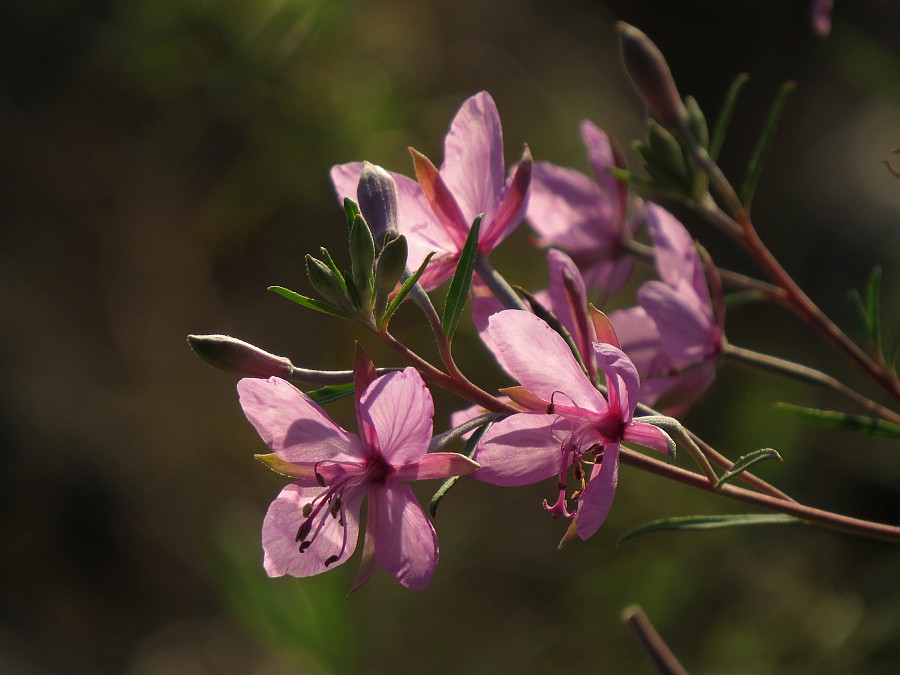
point(688, 332)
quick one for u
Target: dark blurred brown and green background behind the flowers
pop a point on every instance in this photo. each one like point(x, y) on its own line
point(163, 161)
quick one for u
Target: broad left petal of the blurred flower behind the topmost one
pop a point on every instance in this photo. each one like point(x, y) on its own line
point(567, 209)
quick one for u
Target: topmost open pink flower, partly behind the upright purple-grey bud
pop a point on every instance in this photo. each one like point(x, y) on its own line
point(436, 213)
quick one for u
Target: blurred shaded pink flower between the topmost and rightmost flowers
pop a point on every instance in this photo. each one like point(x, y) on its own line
point(587, 218)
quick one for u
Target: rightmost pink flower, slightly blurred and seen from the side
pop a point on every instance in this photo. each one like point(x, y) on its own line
point(673, 337)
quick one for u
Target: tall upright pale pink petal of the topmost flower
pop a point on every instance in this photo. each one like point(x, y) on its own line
point(473, 165)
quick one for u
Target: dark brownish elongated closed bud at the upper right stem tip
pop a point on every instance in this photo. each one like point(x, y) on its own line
point(651, 76)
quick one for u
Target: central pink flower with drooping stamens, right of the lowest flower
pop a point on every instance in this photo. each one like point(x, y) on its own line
point(570, 421)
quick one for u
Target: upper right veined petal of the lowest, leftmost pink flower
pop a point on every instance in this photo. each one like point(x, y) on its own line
point(399, 407)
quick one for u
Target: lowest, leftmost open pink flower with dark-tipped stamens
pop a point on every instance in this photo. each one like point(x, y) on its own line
point(314, 523)
